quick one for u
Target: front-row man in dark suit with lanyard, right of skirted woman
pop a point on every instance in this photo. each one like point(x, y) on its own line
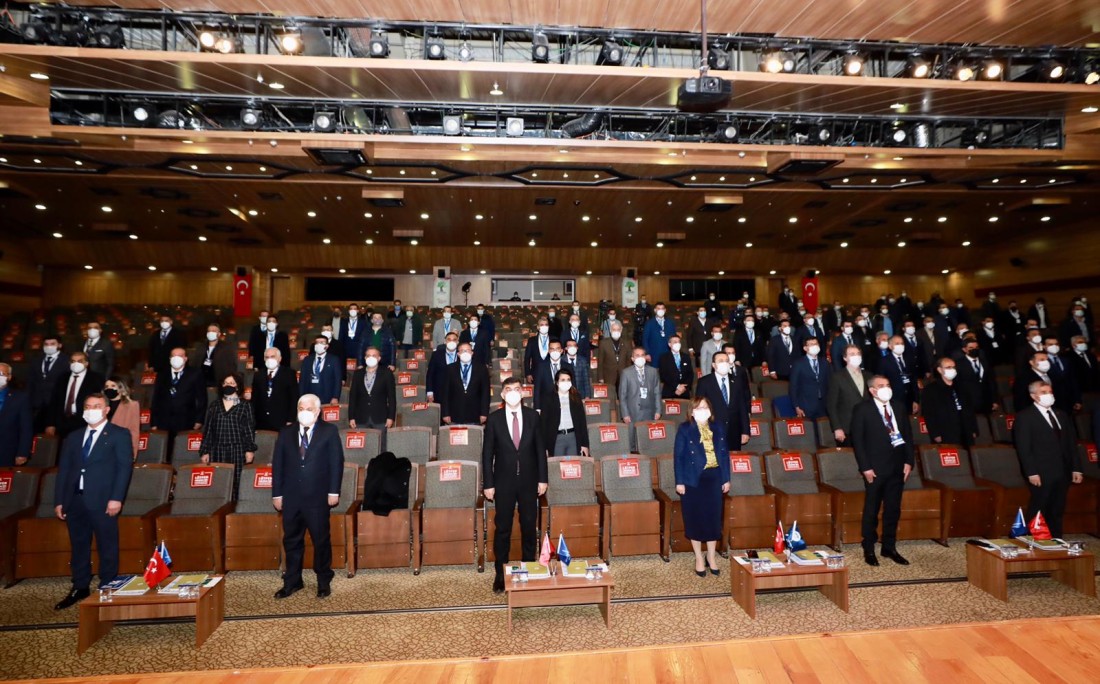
point(884, 445)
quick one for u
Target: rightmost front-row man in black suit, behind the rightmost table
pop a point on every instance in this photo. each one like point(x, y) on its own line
point(1047, 444)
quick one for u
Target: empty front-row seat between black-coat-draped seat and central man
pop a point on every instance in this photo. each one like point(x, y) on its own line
point(448, 523)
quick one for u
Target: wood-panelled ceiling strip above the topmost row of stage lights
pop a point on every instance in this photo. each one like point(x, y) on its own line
point(1004, 23)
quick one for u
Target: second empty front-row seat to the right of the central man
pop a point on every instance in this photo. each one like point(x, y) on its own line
point(630, 510)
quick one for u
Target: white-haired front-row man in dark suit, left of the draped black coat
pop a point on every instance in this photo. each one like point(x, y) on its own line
point(307, 471)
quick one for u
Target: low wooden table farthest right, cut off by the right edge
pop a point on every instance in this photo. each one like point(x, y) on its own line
point(989, 571)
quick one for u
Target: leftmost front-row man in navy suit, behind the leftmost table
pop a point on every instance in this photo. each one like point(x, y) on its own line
point(94, 473)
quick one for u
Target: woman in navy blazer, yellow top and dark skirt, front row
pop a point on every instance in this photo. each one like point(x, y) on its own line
point(701, 461)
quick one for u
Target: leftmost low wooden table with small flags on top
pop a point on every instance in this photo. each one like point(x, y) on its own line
point(98, 619)
